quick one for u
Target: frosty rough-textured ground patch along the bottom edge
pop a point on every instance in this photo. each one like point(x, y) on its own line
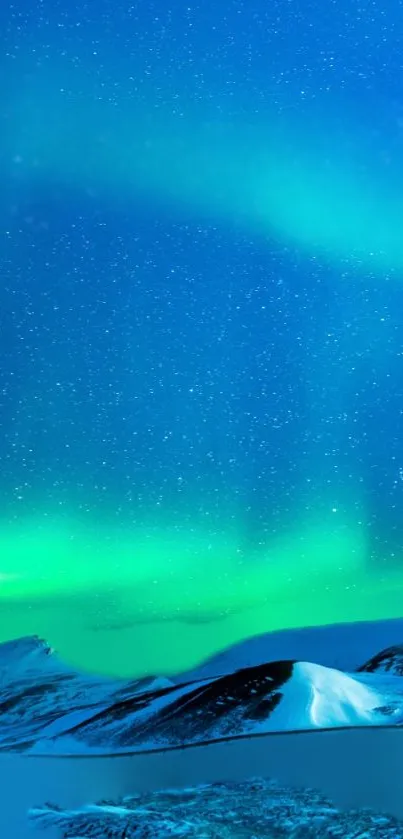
point(229, 811)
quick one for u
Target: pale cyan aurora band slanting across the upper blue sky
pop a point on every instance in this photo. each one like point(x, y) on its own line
point(309, 173)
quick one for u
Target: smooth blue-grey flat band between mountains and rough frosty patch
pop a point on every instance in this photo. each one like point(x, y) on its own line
point(354, 767)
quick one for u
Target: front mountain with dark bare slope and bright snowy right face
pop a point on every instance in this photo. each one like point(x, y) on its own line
point(277, 696)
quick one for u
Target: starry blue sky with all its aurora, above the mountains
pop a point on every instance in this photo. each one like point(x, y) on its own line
point(201, 311)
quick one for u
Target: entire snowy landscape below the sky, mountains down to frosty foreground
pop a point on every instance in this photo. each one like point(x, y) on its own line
point(315, 708)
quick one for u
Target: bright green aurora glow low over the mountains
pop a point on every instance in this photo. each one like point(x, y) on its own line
point(162, 599)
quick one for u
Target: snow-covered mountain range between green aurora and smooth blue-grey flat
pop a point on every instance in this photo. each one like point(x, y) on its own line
point(47, 708)
